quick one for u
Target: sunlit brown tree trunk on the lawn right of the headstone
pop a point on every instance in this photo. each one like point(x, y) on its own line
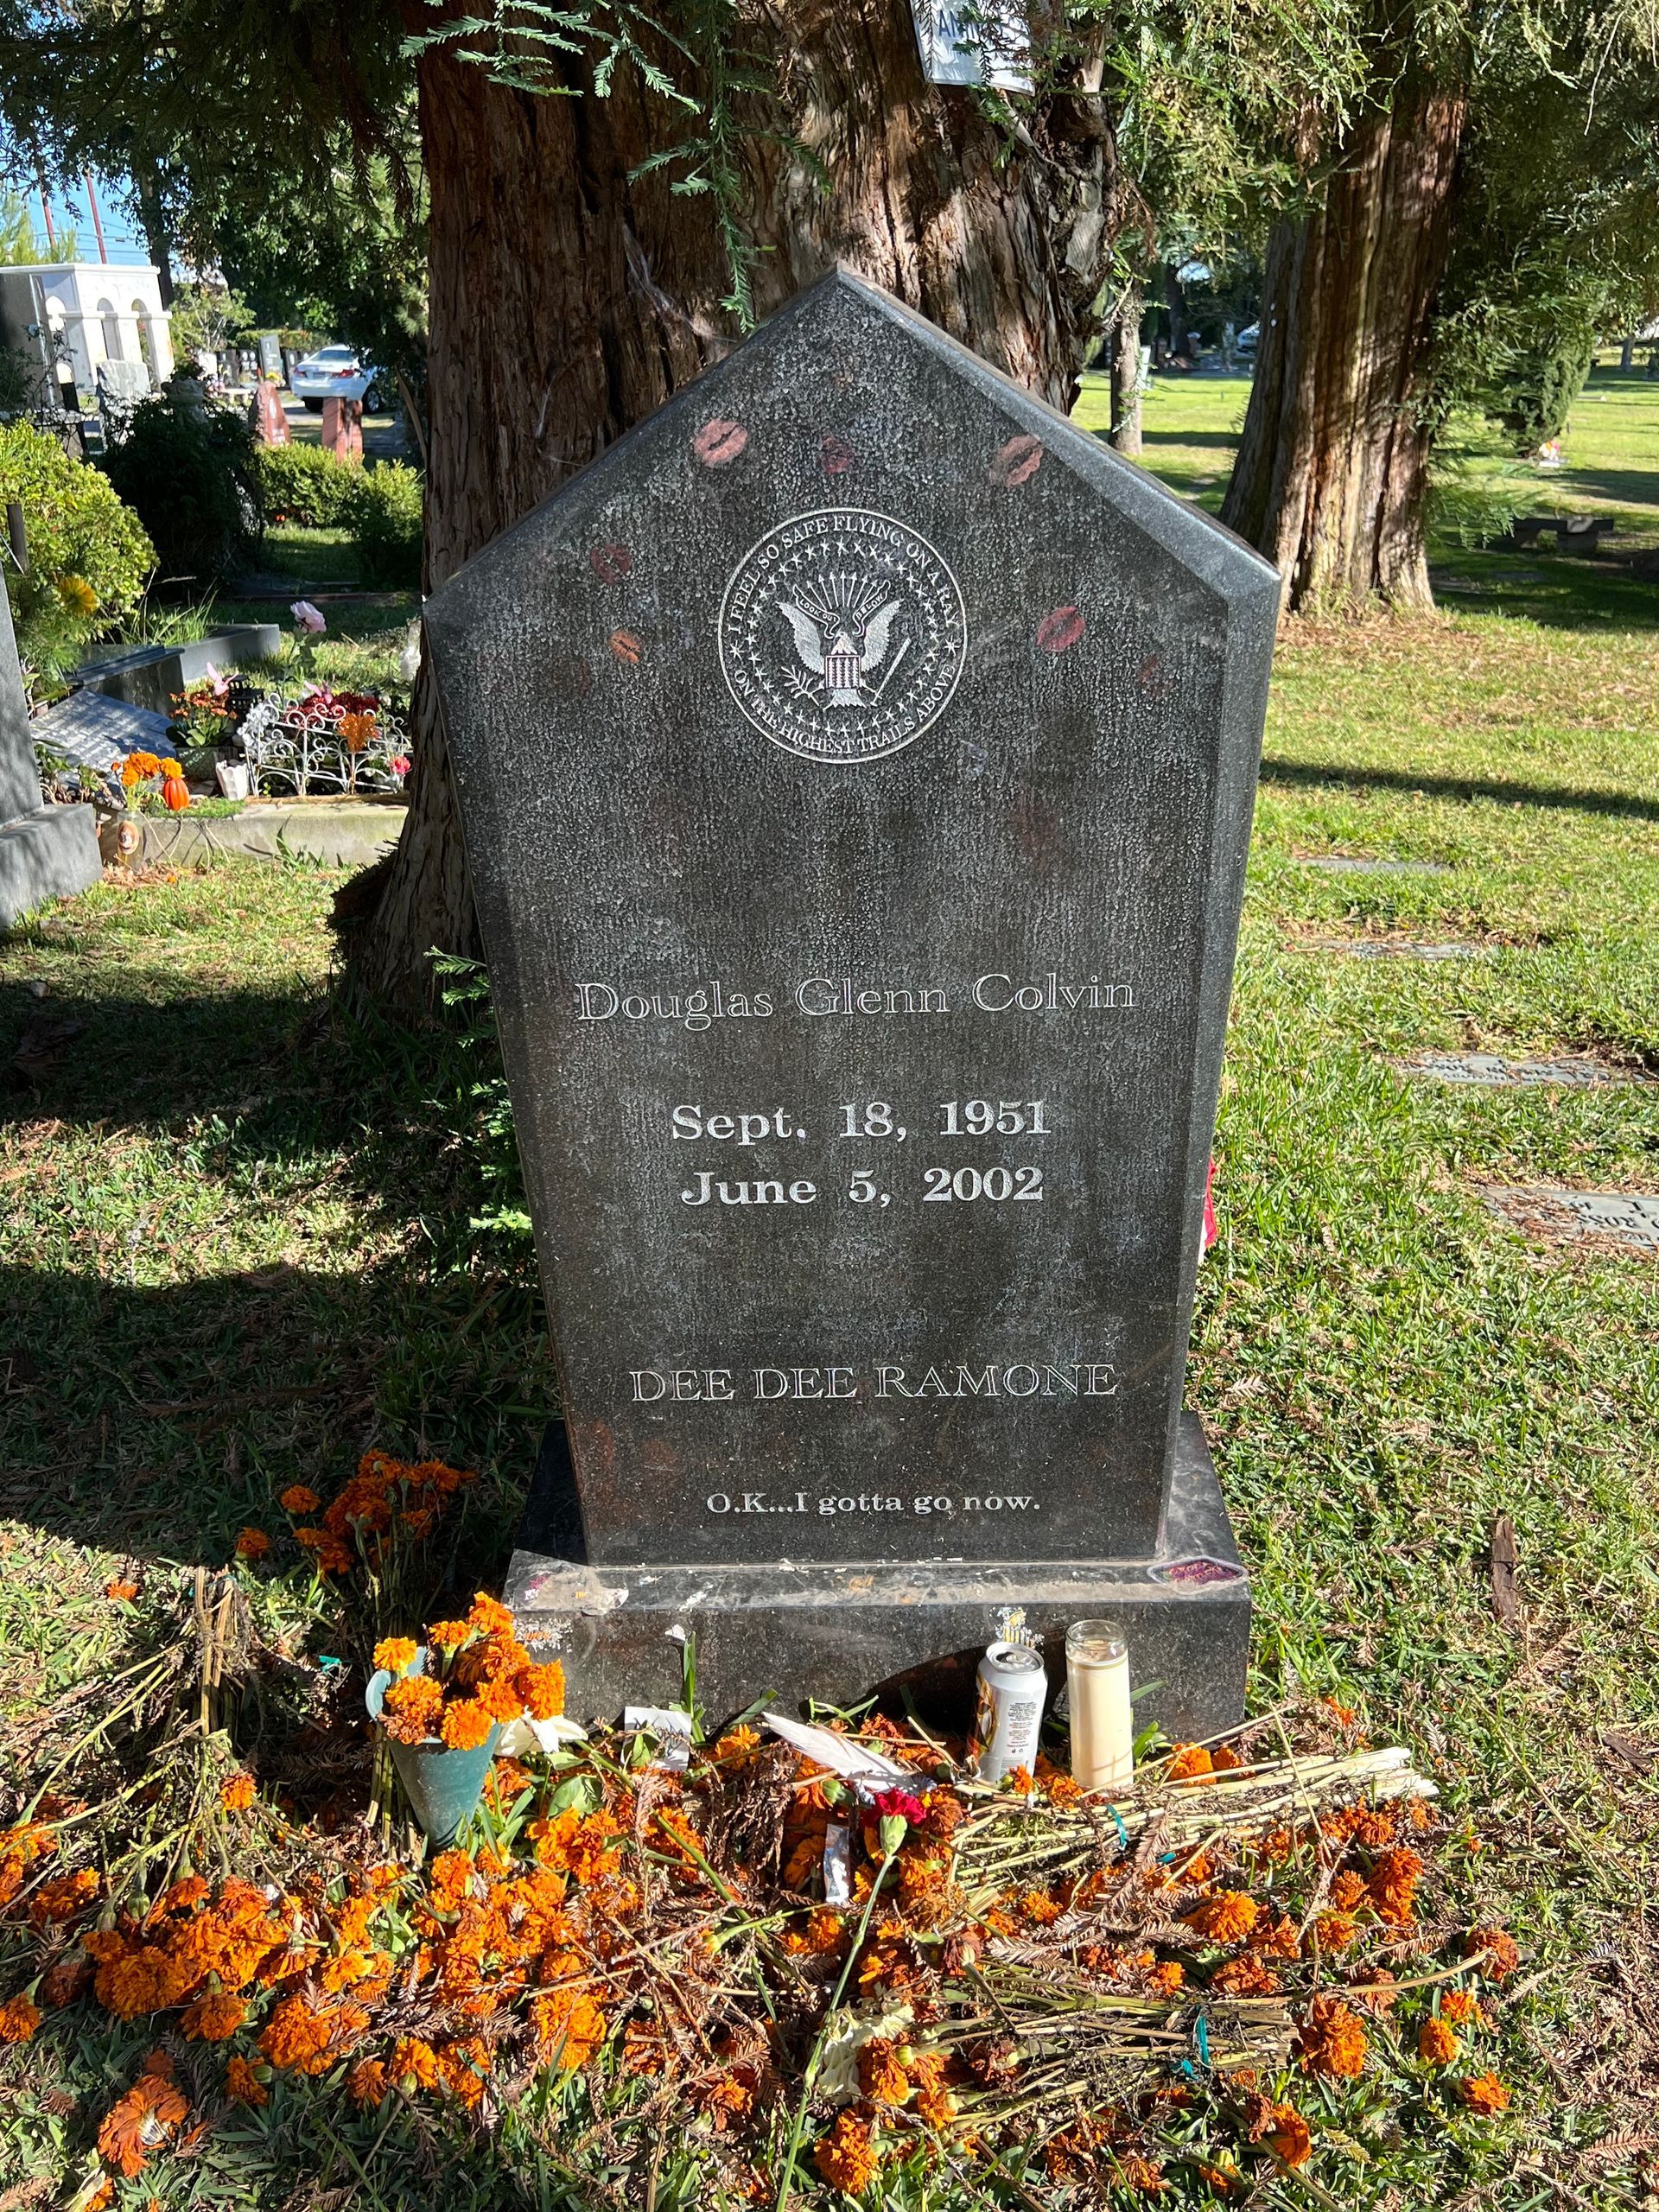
point(1333, 463)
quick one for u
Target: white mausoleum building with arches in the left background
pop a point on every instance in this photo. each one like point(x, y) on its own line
point(96, 313)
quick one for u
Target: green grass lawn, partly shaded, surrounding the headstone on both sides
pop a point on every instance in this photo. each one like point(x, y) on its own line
point(238, 1249)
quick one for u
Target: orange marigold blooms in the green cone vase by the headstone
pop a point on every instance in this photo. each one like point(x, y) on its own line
point(466, 1680)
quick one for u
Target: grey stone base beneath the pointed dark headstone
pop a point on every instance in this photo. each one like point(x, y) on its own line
point(901, 1631)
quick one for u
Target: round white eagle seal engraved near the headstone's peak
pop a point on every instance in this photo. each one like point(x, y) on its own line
point(842, 636)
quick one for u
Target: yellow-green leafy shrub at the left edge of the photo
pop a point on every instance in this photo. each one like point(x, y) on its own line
point(87, 552)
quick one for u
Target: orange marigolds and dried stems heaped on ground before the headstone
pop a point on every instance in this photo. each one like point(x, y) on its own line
point(1198, 1987)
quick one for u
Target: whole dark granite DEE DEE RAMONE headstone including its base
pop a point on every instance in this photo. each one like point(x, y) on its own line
point(857, 773)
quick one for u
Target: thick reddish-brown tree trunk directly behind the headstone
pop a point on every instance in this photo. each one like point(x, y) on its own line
point(570, 300)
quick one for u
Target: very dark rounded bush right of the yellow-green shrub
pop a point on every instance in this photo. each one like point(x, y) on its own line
point(194, 479)
